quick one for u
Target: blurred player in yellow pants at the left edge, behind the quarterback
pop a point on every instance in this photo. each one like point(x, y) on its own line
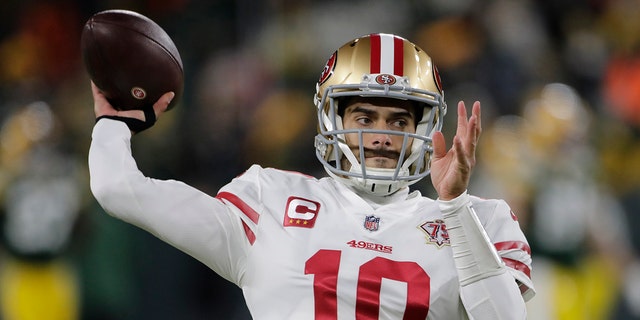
point(41, 202)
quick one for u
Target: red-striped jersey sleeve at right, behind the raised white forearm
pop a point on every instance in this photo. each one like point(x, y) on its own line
point(504, 230)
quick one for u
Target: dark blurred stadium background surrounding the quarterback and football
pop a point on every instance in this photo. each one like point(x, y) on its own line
point(559, 81)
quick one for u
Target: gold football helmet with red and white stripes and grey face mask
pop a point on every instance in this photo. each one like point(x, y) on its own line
point(378, 65)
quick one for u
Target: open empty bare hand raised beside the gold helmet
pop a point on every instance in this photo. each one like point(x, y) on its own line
point(451, 169)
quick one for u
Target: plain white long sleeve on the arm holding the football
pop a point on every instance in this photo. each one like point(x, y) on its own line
point(184, 217)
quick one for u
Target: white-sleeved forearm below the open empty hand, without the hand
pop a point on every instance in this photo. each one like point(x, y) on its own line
point(486, 289)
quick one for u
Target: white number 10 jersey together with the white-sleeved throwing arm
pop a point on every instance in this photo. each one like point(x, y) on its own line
point(306, 248)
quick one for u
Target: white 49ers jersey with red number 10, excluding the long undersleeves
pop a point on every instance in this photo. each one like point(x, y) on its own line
point(319, 251)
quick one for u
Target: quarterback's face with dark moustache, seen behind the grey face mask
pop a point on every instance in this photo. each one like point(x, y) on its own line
point(382, 150)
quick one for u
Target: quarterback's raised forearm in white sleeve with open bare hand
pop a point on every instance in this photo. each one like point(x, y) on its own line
point(487, 290)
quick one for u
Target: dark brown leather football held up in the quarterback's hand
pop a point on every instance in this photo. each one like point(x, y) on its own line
point(131, 59)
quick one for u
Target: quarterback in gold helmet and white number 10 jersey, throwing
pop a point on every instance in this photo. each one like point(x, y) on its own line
point(359, 243)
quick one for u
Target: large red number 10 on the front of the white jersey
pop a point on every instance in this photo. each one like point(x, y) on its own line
point(324, 265)
